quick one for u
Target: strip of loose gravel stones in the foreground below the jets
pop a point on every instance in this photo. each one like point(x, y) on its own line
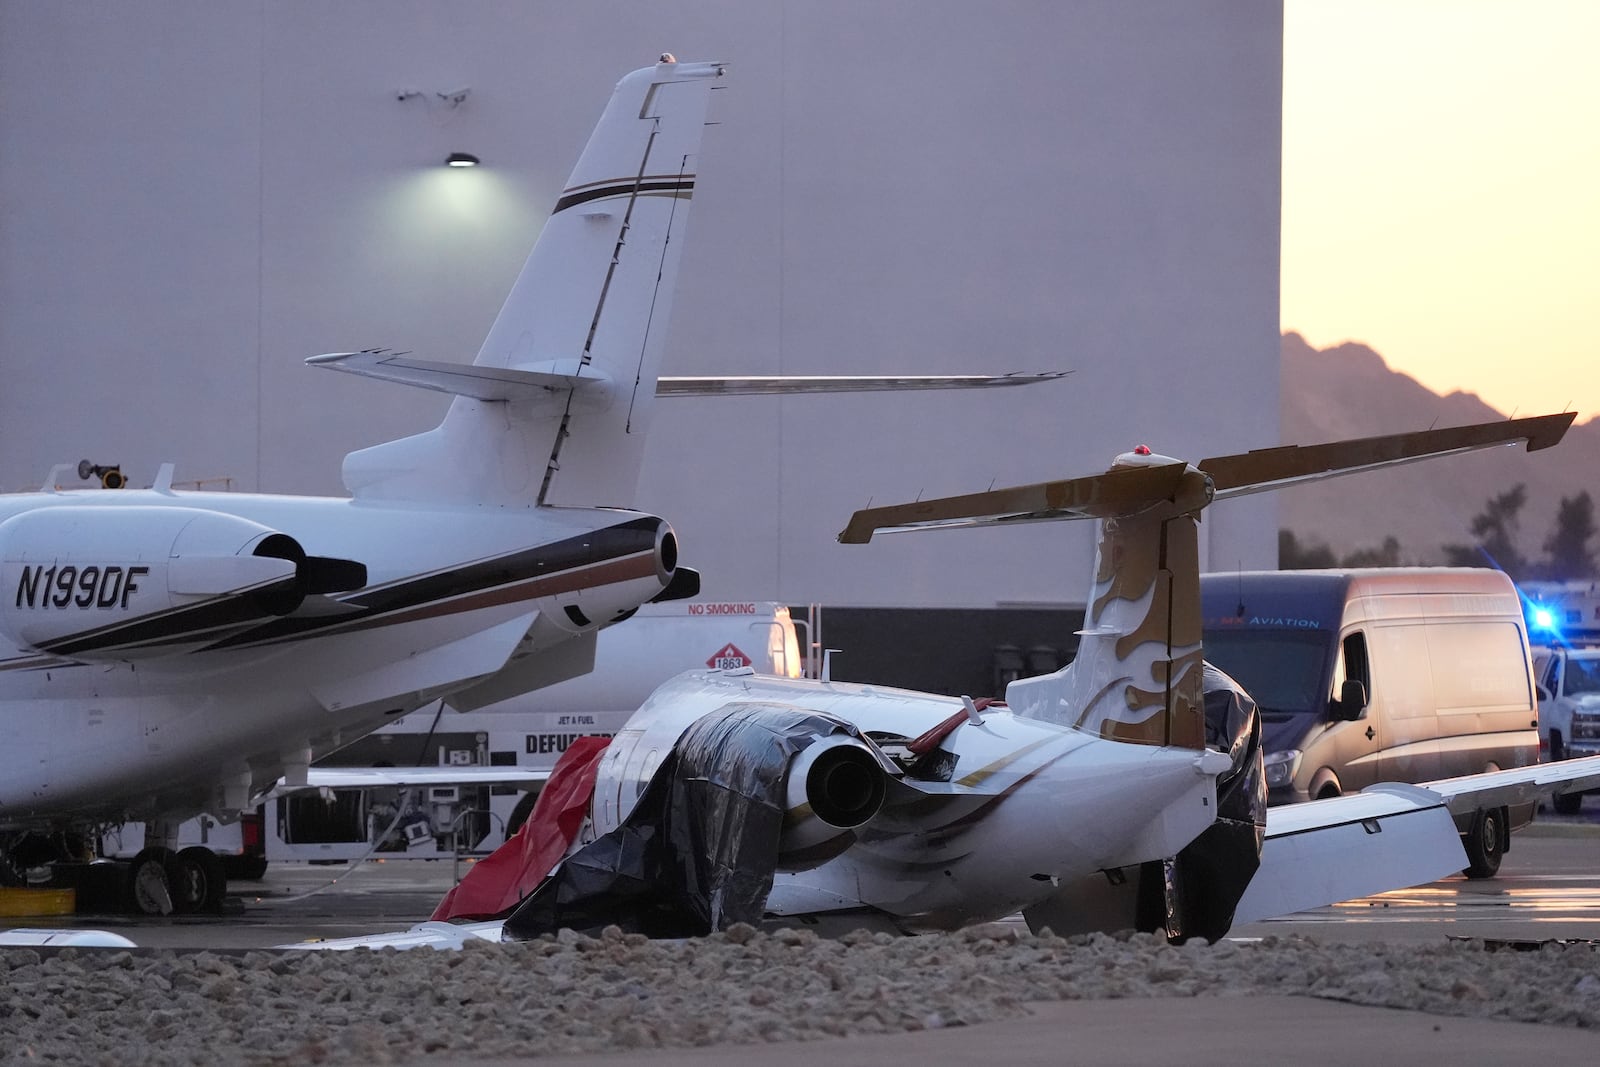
point(618, 993)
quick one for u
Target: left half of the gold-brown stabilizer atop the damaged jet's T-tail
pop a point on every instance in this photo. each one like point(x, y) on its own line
point(1095, 497)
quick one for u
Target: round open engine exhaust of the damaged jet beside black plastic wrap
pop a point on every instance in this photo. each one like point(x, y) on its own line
point(836, 786)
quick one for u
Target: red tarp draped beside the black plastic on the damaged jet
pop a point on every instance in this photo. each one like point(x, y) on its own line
point(511, 873)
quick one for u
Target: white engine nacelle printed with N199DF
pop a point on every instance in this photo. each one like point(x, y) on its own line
point(126, 583)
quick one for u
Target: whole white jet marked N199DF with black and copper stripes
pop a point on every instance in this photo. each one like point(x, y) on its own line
point(170, 653)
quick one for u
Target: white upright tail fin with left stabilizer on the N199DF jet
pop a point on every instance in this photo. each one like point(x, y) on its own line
point(556, 406)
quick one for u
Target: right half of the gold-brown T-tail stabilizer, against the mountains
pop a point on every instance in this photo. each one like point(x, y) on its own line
point(1294, 465)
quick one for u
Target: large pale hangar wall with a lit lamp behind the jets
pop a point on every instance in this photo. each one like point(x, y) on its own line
point(194, 198)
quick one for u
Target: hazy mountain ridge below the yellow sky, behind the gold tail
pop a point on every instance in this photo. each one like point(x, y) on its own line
point(1350, 391)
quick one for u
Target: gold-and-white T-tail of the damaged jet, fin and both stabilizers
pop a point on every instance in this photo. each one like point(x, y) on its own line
point(1138, 673)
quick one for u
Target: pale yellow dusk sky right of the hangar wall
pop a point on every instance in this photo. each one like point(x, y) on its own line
point(1442, 191)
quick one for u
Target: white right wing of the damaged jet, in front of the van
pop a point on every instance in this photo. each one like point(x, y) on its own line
point(1386, 837)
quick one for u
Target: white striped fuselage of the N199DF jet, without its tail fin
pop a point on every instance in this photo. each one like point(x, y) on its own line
point(119, 689)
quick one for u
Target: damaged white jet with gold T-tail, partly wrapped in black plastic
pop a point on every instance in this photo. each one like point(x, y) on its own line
point(1124, 791)
